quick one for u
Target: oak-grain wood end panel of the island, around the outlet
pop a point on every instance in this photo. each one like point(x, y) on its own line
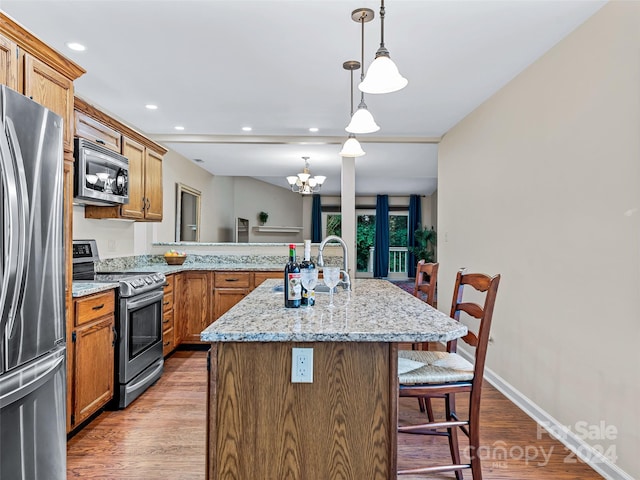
point(339, 426)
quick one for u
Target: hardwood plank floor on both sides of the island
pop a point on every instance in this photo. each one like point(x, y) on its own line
point(161, 436)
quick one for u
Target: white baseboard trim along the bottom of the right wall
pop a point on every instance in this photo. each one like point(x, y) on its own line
point(595, 459)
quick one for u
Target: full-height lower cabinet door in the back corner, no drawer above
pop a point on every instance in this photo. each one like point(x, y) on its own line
point(194, 306)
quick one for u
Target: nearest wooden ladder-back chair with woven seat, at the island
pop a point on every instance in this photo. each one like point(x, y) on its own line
point(446, 374)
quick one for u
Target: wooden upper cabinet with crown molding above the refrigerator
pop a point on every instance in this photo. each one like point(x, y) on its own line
point(34, 69)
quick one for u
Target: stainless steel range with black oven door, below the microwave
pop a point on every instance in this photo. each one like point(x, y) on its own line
point(139, 360)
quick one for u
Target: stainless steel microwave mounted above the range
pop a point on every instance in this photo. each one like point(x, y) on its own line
point(101, 175)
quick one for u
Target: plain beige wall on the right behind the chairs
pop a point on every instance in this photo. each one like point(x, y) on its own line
point(542, 184)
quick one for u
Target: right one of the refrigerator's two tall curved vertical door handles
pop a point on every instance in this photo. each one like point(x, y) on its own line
point(23, 209)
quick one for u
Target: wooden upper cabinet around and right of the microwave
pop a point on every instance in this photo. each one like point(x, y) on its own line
point(145, 164)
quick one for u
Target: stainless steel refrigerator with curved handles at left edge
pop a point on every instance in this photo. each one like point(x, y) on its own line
point(32, 343)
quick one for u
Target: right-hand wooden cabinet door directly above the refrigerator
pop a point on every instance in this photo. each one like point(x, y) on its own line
point(51, 89)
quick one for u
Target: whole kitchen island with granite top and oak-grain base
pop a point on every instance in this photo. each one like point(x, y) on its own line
point(340, 426)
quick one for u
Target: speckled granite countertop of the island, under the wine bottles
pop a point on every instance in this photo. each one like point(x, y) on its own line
point(375, 311)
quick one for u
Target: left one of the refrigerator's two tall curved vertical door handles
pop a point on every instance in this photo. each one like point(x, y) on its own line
point(10, 184)
